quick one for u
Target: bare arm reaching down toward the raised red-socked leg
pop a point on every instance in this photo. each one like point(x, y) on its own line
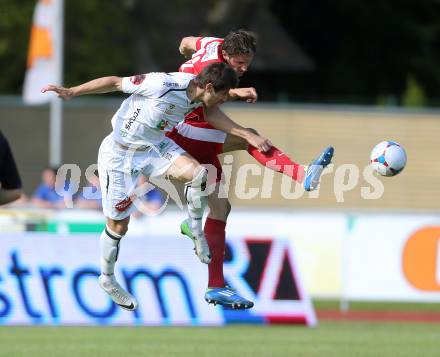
point(221, 121)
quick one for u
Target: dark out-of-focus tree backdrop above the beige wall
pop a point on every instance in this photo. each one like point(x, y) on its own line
point(361, 51)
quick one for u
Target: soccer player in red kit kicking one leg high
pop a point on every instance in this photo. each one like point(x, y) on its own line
point(201, 140)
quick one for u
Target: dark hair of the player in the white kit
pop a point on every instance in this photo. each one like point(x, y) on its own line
point(219, 74)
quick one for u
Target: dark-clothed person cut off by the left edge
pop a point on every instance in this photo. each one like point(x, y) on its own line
point(10, 182)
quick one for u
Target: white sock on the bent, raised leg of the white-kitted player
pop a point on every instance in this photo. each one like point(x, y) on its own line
point(196, 200)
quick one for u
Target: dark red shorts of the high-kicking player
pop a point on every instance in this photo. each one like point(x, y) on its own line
point(205, 152)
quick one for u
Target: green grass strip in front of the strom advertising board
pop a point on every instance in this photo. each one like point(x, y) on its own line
point(329, 339)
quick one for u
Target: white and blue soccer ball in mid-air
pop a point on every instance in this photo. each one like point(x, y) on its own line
point(388, 158)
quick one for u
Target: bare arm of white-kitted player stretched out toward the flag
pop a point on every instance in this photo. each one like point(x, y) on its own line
point(95, 86)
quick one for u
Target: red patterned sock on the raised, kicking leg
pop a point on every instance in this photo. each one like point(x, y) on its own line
point(276, 160)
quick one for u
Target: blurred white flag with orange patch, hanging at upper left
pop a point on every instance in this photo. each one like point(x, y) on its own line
point(44, 62)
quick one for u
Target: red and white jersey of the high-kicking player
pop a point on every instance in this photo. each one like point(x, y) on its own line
point(209, 50)
